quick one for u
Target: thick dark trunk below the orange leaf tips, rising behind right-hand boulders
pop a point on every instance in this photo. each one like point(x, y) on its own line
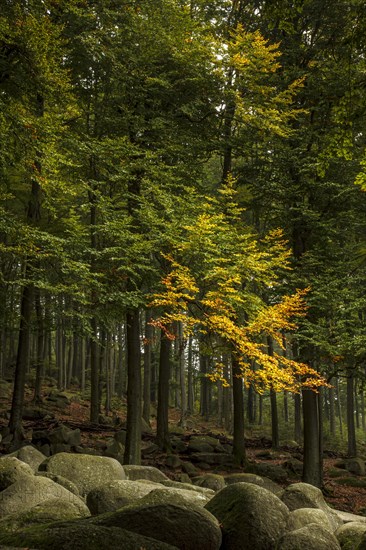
point(313, 462)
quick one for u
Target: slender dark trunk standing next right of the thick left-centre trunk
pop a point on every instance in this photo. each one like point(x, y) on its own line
point(162, 428)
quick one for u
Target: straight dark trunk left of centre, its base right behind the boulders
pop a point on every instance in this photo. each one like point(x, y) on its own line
point(134, 413)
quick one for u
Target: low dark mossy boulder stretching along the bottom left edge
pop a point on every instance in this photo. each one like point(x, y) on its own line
point(82, 536)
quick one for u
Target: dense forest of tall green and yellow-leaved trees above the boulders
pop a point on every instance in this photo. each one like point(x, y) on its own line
point(183, 215)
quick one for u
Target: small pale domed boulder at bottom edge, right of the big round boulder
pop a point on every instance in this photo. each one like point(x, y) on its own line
point(309, 537)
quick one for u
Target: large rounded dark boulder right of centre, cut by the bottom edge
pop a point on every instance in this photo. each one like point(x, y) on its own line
point(250, 516)
